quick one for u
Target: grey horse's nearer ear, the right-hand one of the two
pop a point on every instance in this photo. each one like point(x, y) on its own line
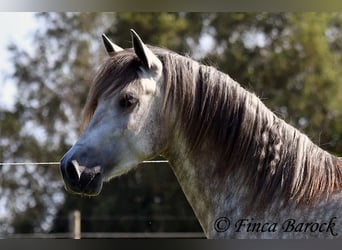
point(149, 59)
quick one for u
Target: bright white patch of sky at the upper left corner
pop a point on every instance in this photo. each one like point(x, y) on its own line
point(16, 27)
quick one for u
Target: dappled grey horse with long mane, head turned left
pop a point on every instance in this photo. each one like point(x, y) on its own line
point(245, 172)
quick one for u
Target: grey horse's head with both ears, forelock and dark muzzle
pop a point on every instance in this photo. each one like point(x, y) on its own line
point(123, 119)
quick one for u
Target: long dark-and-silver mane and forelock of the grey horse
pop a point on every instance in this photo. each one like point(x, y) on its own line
point(274, 158)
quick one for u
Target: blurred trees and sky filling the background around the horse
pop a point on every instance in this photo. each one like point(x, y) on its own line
point(292, 61)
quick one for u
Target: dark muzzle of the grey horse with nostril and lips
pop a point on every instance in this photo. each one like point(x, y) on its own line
point(79, 179)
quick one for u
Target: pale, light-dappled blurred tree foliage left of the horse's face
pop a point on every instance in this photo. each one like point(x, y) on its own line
point(44, 122)
